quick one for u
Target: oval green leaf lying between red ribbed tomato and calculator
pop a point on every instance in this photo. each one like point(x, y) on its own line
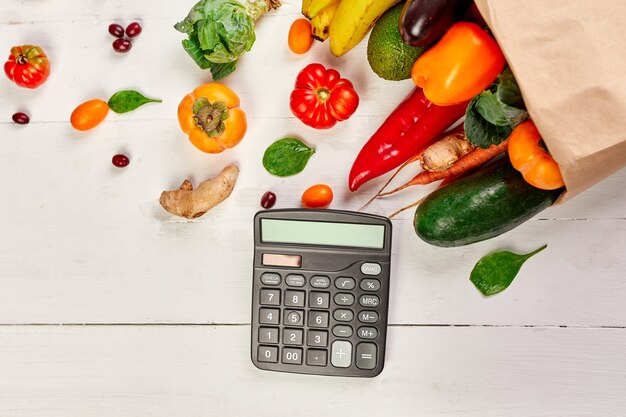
point(286, 157)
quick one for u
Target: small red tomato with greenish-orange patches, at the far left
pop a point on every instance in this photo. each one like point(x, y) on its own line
point(27, 66)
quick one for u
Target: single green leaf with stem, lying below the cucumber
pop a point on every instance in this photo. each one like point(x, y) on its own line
point(495, 272)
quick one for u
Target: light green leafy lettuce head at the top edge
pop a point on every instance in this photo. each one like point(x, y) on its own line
point(221, 31)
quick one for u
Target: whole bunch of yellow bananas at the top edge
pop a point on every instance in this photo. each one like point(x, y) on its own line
point(345, 22)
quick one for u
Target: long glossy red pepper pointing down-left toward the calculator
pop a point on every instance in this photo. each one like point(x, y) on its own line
point(412, 126)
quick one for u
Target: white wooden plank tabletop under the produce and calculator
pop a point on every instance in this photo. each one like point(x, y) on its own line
point(110, 307)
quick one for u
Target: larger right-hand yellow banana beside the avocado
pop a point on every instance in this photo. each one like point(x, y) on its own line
point(352, 20)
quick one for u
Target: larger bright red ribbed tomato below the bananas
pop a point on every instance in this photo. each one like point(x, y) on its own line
point(321, 97)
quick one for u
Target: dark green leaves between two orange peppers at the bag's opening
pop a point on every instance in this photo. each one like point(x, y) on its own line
point(492, 115)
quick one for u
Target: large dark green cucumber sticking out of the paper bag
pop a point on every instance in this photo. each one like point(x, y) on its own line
point(482, 206)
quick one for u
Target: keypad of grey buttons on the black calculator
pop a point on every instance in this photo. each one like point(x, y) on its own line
point(319, 320)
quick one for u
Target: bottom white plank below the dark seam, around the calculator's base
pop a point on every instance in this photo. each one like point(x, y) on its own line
point(129, 371)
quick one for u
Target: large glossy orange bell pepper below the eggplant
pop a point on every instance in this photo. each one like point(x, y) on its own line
point(462, 64)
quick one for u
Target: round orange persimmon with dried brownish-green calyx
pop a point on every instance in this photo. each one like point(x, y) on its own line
point(211, 116)
